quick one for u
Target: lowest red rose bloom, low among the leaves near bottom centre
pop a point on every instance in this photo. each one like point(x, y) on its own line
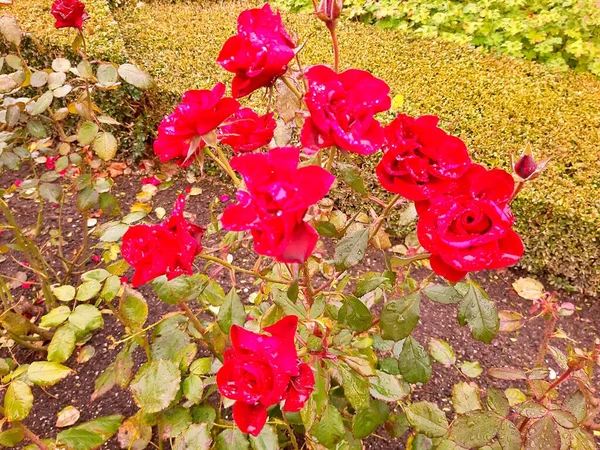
point(262, 370)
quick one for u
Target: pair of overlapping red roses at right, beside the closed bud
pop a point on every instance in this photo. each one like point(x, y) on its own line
point(465, 220)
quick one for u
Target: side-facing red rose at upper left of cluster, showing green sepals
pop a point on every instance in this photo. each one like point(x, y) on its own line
point(181, 134)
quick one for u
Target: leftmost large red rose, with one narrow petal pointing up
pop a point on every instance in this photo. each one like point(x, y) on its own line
point(165, 249)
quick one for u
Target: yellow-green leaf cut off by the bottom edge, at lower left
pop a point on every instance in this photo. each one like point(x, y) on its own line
point(92, 434)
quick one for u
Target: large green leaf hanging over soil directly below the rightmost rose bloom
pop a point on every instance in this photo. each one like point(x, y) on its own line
point(480, 313)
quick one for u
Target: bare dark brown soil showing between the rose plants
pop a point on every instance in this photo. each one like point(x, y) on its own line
point(514, 349)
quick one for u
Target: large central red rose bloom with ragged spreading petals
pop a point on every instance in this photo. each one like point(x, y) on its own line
point(277, 198)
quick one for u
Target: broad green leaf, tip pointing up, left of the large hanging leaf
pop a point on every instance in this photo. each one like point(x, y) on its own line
point(399, 317)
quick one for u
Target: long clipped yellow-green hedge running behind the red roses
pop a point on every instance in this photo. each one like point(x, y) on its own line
point(496, 104)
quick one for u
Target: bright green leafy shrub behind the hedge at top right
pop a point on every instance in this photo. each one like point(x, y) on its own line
point(560, 33)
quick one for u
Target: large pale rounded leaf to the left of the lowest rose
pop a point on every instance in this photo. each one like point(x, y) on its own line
point(156, 385)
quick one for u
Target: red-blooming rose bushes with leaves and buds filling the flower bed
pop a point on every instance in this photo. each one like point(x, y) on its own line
point(279, 338)
